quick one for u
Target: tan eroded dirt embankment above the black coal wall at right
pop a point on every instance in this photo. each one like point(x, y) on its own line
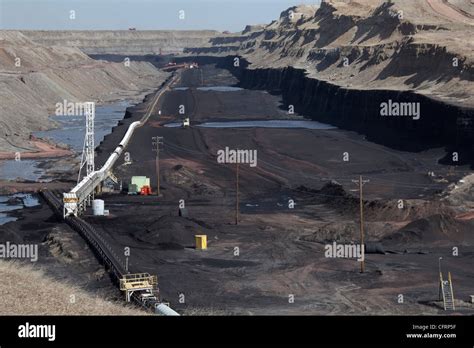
point(362, 44)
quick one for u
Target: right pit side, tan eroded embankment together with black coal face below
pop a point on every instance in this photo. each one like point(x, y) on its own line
point(340, 62)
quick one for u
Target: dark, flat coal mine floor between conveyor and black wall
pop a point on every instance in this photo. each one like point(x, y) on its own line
point(277, 253)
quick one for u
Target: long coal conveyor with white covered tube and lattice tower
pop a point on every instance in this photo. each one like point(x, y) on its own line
point(141, 287)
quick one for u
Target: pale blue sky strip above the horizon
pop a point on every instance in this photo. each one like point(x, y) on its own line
point(221, 15)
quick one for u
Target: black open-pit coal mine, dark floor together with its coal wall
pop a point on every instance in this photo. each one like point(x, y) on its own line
point(293, 205)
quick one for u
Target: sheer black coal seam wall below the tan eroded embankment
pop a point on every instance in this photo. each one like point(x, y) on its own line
point(440, 124)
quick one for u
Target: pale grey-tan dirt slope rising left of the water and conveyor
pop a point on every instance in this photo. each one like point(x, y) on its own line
point(34, 77)
